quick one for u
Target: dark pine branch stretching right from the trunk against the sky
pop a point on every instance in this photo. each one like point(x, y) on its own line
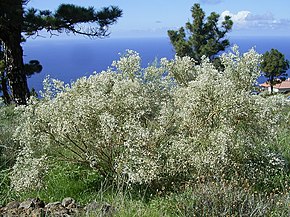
point(68, 18)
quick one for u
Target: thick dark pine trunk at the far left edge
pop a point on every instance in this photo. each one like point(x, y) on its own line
point(11, 21)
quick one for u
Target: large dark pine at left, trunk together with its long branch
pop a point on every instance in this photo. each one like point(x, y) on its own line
point(17, 22)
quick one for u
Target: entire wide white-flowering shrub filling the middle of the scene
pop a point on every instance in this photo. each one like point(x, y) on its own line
point(173, 119)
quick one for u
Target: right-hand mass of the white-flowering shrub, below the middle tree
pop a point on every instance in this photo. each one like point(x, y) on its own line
point(222, 128)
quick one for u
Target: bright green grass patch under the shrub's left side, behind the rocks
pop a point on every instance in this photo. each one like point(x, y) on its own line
point(67, 181)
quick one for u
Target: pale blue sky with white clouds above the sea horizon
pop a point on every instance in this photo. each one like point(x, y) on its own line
point(152, 18)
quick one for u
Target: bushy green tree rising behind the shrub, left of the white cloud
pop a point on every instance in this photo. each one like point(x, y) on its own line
point(205, 37)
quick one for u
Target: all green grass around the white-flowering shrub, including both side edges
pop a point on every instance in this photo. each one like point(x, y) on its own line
point(198, 199)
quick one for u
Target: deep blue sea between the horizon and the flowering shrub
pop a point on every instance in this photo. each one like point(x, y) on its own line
point(70, 59)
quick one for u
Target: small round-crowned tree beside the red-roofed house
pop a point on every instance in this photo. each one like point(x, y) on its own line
point(274, 67)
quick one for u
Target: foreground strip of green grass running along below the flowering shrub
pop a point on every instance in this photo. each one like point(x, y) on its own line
point(199, 199)
